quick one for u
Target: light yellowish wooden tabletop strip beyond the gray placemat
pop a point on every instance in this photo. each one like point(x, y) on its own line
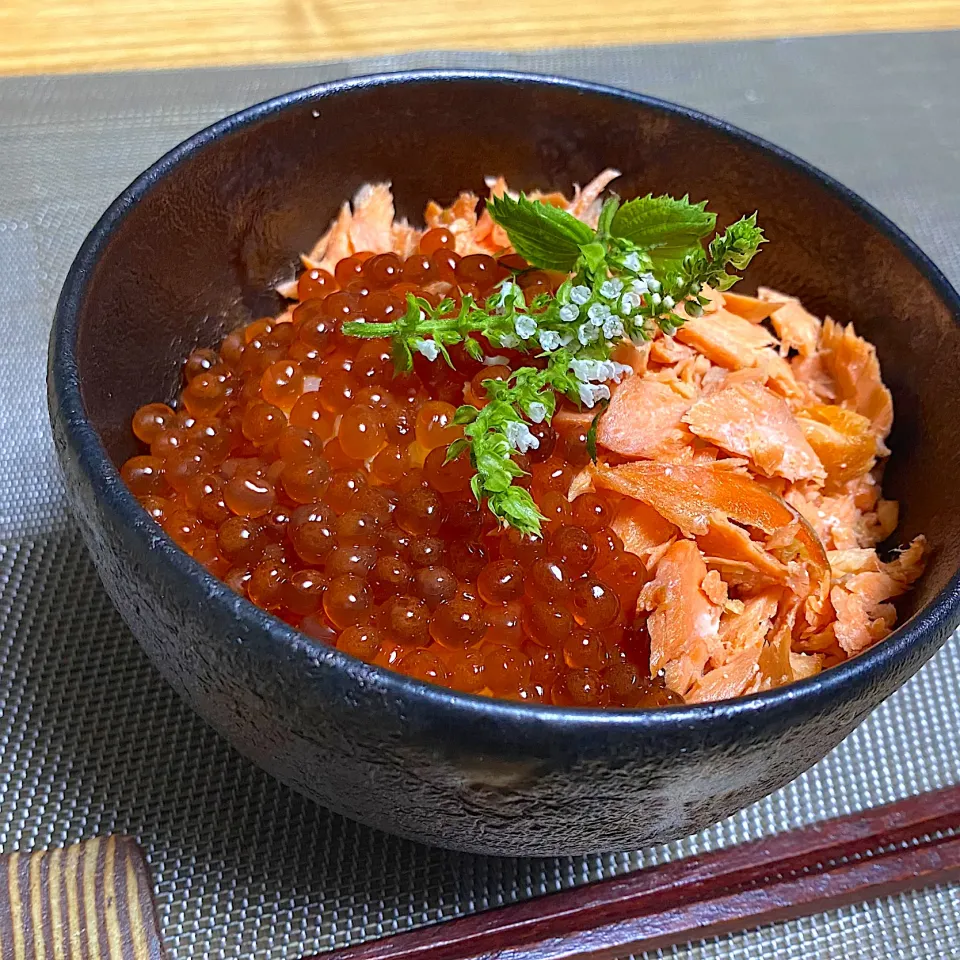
point(82, 35)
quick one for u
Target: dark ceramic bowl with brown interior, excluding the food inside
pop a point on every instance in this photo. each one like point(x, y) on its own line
point(192, 249)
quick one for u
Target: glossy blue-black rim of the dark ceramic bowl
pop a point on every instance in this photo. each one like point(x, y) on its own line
point(939, 615)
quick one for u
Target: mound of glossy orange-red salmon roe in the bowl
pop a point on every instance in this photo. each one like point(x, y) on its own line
point(299, 470)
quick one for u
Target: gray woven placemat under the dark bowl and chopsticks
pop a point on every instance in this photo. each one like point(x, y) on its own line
point(92, 740)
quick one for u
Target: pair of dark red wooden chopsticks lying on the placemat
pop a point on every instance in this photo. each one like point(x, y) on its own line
point(850, 859)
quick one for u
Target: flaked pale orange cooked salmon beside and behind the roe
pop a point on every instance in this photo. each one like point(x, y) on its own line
point(741, 460)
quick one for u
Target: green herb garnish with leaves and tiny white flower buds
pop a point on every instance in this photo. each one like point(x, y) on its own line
point(644, 260)
